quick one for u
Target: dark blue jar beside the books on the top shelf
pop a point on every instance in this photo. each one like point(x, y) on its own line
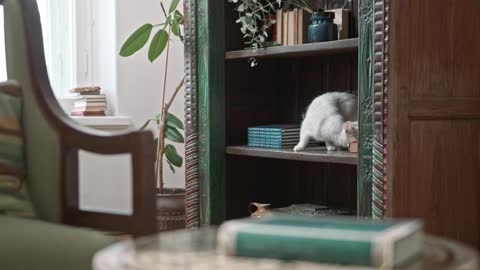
point(322, 28)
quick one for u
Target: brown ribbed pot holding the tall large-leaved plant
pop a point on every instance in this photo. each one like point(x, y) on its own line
point(171, 209)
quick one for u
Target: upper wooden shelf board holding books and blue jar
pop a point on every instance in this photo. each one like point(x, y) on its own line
point(329, 47)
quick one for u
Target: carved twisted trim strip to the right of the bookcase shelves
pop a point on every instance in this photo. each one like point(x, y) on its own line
point(380, 108)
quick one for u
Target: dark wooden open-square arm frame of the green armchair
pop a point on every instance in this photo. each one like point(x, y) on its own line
point(140, 145)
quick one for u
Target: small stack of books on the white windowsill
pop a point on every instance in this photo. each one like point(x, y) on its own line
point(89, 103)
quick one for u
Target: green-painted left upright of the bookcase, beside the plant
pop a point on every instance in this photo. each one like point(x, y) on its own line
point(210, 51)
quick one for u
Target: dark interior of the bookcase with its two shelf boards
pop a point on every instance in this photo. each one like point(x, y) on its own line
point(278, 91)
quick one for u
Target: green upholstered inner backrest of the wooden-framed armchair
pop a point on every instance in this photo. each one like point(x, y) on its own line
point(41, 142)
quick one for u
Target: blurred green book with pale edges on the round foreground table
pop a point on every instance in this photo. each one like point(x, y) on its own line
point(332, 240)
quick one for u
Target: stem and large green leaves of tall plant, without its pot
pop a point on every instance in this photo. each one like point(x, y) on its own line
point(168, 124)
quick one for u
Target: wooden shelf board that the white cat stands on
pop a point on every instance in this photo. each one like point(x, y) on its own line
point(313, 154)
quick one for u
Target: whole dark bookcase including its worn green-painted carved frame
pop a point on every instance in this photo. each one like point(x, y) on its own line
point(233, 96)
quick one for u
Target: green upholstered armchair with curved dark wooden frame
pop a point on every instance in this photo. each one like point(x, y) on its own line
point(52, 141)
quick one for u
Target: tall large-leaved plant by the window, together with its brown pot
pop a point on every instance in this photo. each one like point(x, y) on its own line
point(170, 202)
